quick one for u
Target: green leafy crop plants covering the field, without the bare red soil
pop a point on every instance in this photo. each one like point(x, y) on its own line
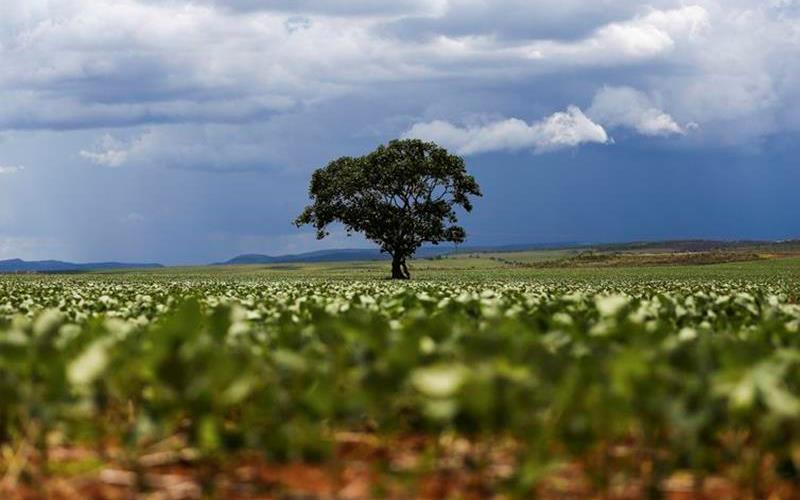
point(681, 374)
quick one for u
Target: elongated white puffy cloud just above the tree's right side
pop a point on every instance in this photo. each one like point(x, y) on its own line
point(560, 130)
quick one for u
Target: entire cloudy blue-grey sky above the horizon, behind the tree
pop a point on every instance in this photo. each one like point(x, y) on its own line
point(184, 132)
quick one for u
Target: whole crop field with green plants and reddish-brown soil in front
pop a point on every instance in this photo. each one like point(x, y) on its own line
point(476, 379)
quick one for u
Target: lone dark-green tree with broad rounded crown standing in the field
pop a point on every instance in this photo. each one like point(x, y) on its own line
point(400, 196)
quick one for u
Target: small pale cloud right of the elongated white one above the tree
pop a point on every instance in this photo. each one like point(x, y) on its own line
point(628, 107)
